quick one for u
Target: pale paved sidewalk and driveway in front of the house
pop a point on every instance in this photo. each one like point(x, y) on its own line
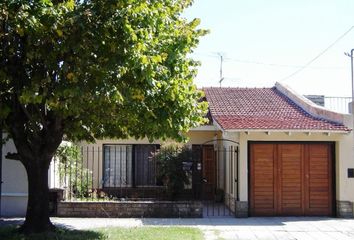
point(277, 228)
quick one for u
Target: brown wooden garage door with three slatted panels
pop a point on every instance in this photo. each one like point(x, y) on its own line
point(291, 179)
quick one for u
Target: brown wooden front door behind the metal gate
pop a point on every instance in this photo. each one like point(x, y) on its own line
point(208, 172)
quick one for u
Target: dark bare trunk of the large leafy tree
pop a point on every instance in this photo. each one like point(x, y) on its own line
point(37, 215)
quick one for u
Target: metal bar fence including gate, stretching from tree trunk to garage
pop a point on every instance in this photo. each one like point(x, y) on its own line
point(119, 172)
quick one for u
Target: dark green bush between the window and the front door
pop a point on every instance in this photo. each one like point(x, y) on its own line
point(170, 162)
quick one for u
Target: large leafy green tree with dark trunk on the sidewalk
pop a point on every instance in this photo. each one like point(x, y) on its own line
point(85, 70)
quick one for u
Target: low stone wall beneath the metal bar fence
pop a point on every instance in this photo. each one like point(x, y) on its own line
point(126, 209)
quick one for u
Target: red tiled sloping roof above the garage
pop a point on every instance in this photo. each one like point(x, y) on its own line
point(261, 108)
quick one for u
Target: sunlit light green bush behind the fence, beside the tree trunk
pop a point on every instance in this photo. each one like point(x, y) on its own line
point(73, 176)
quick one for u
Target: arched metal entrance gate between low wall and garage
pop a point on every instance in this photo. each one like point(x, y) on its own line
point(216, 176)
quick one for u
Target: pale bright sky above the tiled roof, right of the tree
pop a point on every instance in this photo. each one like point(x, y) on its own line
point(265, 41)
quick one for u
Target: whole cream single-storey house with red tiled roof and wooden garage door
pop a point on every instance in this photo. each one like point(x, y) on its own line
point(266, 152)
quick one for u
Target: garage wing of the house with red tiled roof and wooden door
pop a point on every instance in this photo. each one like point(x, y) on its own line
point(294, 156)
